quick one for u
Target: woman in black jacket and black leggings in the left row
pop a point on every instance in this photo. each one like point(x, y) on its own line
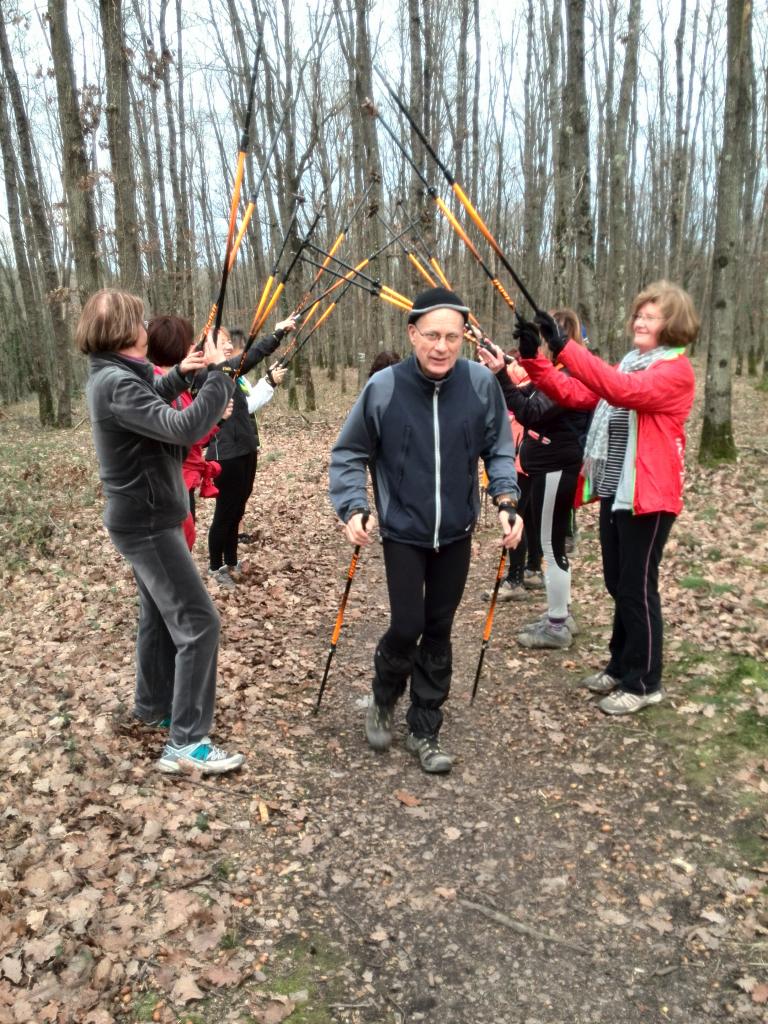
point(234, 449)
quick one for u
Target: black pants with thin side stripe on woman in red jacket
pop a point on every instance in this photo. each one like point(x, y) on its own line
point(632, 547)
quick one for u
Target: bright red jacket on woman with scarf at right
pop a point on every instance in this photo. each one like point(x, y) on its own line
point(662, 397)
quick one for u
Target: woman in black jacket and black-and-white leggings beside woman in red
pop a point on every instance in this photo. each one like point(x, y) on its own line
point(551, 455)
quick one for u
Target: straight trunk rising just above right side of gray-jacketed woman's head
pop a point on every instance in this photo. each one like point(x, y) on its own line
point(119, 134)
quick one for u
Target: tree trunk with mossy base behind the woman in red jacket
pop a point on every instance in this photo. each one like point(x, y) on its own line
point(717, 435)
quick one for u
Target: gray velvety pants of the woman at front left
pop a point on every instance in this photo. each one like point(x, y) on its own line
point(179, 634)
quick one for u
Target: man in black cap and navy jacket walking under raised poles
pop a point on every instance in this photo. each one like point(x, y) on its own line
point(420, 426)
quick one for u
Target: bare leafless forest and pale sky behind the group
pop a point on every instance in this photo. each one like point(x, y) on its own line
point(607, 144)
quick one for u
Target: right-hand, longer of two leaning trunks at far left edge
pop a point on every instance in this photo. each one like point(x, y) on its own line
point(56, 295)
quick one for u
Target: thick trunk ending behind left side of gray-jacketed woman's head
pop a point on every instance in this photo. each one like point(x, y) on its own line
point(78, 183)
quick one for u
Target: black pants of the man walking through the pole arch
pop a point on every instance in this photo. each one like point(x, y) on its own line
point(425, 588)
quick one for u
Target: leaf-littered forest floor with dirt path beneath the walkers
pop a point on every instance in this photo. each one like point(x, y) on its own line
point(572, 869)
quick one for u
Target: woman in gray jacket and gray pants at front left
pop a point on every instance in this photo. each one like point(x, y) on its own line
point(141, 442)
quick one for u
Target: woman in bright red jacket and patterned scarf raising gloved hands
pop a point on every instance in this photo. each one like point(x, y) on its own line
point(633, 462)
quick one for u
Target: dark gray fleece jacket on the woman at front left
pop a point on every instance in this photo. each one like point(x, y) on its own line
point(141, 440)
